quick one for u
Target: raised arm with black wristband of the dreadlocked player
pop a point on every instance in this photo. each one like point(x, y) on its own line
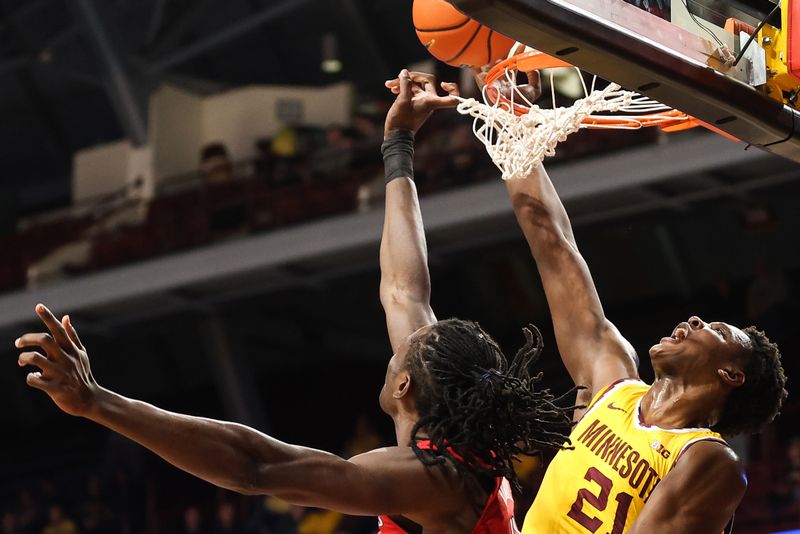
point(405, 283)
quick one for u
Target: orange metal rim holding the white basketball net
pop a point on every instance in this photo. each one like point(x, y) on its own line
point(670, 120)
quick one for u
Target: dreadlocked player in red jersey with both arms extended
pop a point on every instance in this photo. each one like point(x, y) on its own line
point(461, 411)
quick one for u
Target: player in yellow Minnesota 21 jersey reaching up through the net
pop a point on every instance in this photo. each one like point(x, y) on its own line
point(636, 443)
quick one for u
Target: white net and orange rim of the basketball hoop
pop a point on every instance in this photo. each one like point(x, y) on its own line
point(519, 134)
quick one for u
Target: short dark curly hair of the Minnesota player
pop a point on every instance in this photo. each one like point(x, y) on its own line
point(758, 401)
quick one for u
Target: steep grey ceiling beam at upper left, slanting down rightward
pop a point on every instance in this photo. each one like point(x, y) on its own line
point(126, 98)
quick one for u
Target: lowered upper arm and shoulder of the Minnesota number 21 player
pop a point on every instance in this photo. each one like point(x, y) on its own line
point(699, 495)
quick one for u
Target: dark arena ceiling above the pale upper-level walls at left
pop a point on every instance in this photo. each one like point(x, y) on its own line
point(74, 73)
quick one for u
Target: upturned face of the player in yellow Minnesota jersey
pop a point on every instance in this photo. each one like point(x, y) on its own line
point(699, 348)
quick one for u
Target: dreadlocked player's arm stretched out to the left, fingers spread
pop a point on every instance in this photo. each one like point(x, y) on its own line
point(227, 454)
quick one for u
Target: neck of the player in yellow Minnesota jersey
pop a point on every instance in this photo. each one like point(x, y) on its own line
point(673, 403)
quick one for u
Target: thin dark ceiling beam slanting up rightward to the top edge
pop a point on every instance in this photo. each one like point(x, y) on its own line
point(233, 31)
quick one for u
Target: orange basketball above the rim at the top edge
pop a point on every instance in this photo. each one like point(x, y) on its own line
point(456, 39)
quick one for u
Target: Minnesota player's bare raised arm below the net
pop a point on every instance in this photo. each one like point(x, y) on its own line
point(593, 350)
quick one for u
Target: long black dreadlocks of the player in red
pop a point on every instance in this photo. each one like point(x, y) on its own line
point(475, 407)
